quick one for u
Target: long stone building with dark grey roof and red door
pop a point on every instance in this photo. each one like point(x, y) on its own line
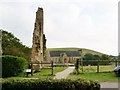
point(63, 56)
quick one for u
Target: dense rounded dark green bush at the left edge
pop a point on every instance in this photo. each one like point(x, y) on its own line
point(12, 65)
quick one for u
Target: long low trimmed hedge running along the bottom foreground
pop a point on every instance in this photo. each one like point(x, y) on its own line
point(49, 84)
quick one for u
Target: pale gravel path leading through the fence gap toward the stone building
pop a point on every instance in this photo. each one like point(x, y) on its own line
point(65, 73)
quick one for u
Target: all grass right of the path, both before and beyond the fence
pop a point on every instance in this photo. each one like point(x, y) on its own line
point(90, 73)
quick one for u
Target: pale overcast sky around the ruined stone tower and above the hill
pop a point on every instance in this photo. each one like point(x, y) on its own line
point(91, 24)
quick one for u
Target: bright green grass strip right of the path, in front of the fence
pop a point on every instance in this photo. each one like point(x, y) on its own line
point(100, 77)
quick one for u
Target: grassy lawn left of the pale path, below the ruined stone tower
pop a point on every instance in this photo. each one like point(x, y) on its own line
point(43, 74)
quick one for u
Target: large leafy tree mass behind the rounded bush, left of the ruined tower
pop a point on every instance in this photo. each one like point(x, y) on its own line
point(11, 45)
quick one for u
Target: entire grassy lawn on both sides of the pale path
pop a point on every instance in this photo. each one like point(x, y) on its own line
point(89, 74)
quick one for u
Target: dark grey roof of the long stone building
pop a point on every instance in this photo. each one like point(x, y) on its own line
point(68, 53)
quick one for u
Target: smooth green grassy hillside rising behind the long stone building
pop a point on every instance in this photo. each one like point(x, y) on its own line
point(85, 51)
